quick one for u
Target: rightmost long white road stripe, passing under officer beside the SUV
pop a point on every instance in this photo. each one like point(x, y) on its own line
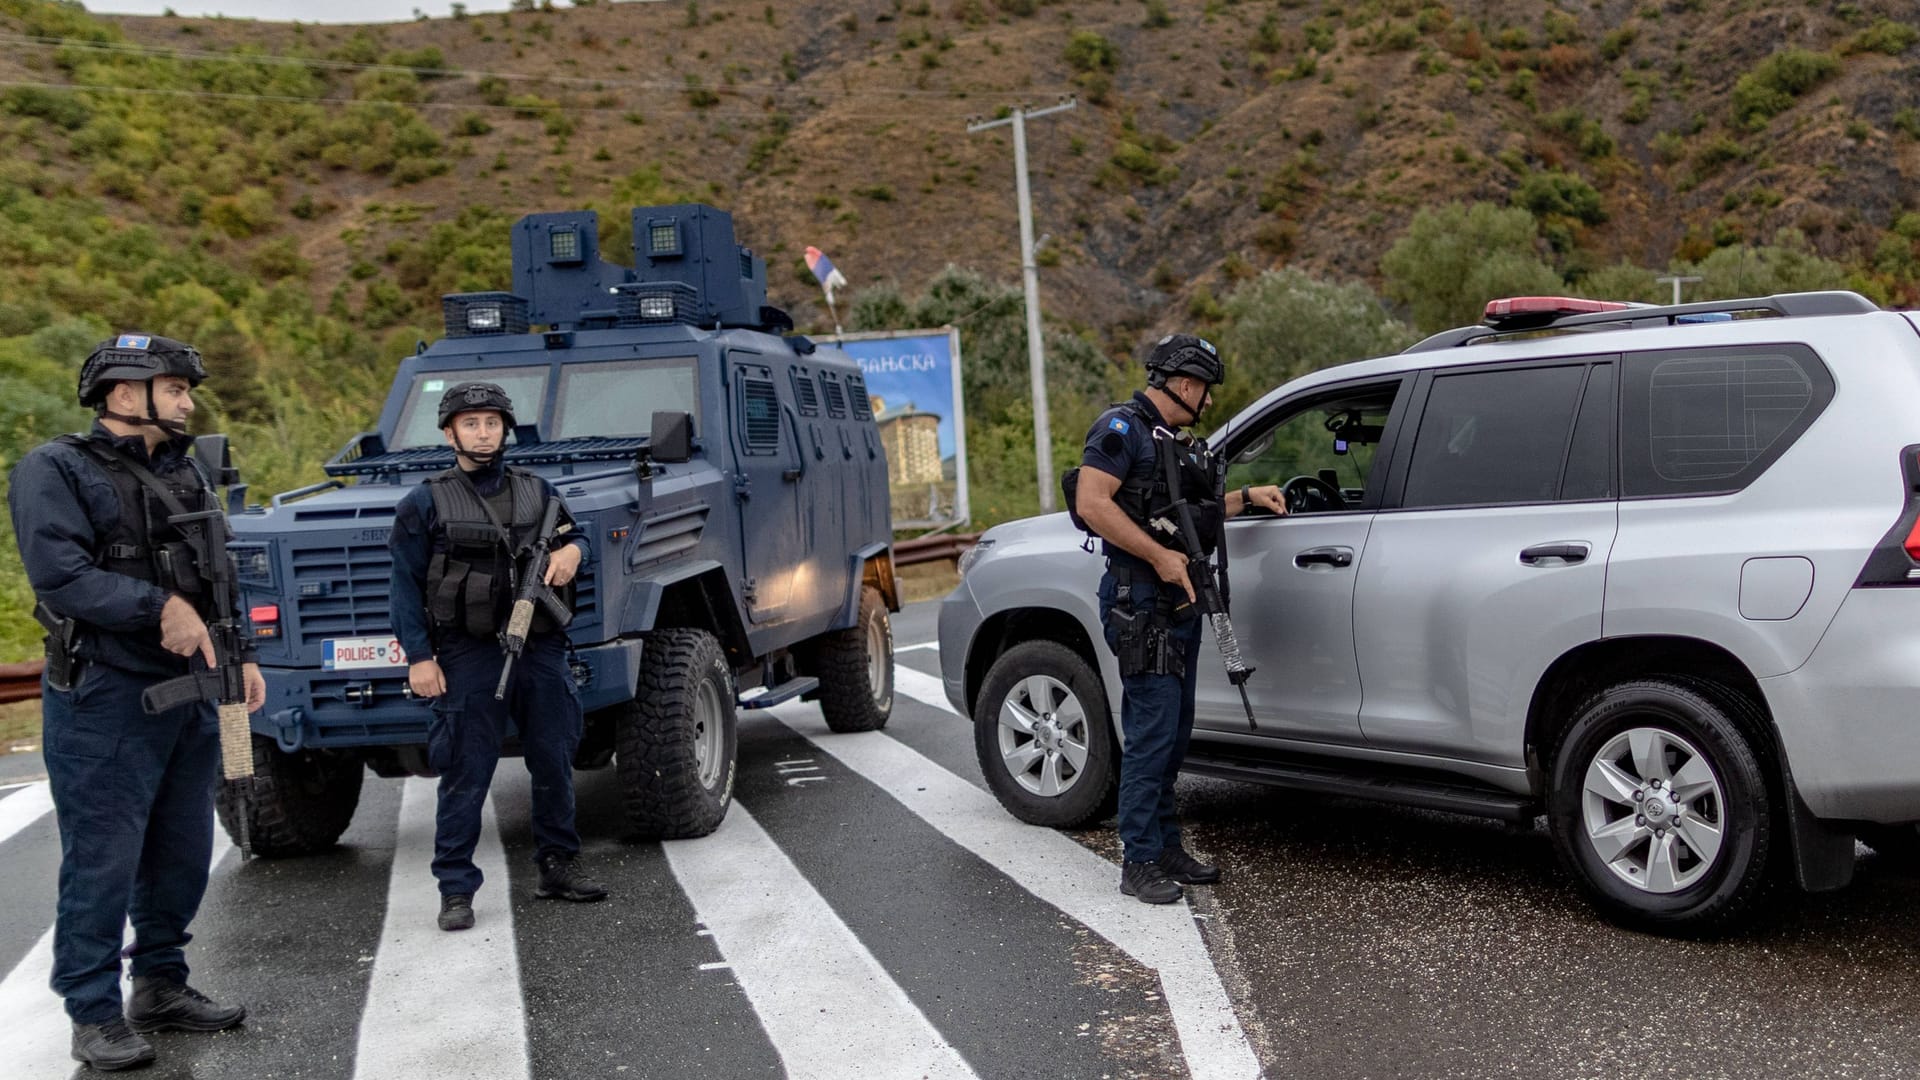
point(1055, 870)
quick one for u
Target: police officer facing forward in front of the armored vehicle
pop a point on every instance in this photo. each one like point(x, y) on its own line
point(456, 547)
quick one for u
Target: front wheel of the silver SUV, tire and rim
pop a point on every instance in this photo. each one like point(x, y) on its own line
point(1045, 737)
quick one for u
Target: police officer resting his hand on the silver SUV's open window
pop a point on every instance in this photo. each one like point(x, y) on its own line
point(1147, 601)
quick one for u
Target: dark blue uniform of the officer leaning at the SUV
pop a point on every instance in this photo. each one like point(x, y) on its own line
point(1157, 712)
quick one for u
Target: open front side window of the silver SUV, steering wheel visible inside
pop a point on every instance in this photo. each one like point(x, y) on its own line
point(1332, 441)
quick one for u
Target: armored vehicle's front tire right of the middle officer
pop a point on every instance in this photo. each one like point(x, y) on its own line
point(677, 741)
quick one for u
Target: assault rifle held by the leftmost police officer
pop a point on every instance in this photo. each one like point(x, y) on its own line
point(204, 531)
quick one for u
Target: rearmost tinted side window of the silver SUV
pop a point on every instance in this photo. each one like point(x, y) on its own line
point(1714, 420)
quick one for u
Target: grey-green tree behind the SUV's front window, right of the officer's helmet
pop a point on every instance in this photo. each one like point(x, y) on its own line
point(1287, 324)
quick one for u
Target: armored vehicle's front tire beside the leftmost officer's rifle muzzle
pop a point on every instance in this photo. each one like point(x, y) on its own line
point(300, 802)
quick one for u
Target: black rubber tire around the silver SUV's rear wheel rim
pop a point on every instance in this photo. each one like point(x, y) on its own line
point(1727, 912)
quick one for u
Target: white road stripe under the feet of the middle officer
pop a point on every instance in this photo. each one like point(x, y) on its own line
point(443, 1006)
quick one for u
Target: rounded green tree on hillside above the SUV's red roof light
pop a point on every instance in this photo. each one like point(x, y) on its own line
point(1456, 258)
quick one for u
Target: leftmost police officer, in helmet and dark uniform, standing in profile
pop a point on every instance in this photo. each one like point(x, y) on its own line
point(126, 608)
